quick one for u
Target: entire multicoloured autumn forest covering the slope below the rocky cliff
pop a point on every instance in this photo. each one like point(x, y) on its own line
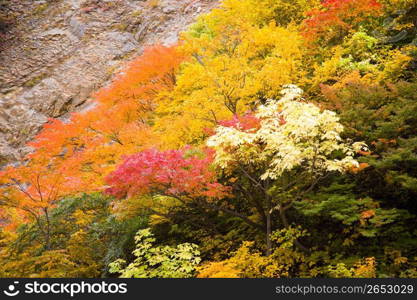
point(278, 138)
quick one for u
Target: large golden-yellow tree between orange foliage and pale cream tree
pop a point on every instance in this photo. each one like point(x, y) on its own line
point(236, 61)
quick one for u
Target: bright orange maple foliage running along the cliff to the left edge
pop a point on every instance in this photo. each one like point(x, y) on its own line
point(73, 156)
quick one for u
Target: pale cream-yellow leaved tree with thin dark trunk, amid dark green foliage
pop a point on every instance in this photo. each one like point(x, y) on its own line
point(295, 145)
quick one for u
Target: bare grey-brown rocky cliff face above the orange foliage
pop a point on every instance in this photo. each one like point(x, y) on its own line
point(54, 54)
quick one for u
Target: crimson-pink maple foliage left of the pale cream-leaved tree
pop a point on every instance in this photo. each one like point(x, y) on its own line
point(175, 173)
